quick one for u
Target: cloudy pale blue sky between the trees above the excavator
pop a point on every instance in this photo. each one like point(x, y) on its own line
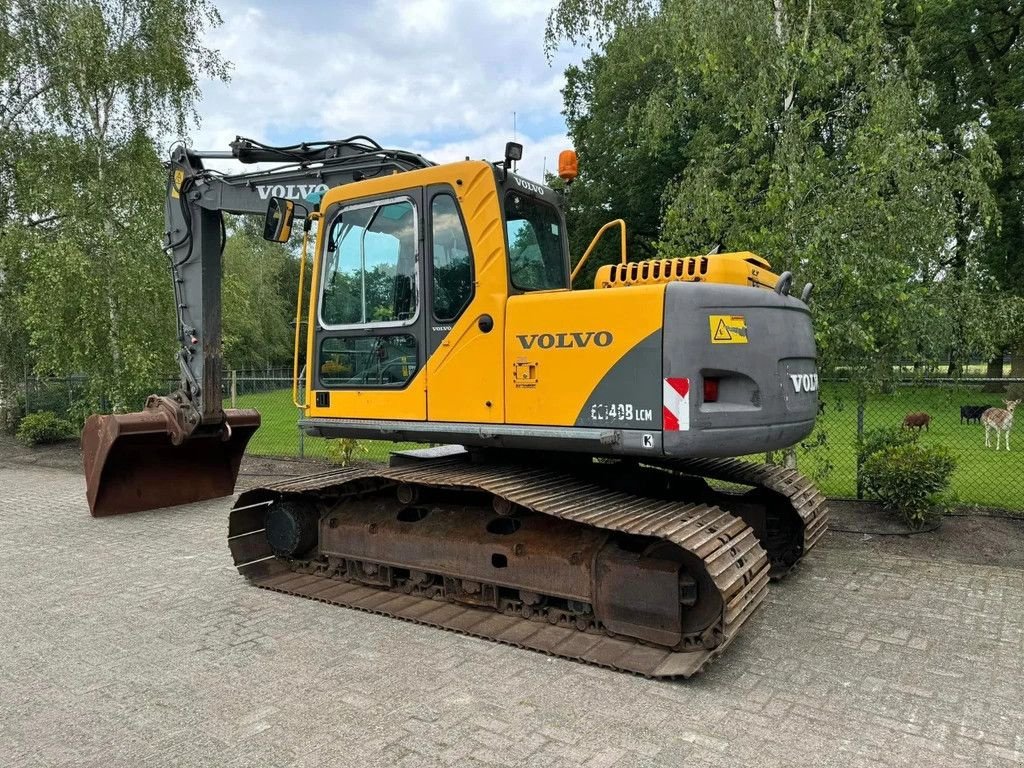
point(439, 77)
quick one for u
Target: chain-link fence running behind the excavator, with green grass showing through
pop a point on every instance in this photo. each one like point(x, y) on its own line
point(943, 412)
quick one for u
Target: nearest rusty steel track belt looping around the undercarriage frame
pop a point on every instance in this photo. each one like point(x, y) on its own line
point(733, 559)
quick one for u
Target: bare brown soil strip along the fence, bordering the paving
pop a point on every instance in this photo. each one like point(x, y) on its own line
point(966, 536)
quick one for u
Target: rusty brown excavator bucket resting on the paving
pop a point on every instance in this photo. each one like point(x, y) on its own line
point(141, 461)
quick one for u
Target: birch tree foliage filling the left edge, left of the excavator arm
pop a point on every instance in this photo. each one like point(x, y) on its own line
point(87, 88)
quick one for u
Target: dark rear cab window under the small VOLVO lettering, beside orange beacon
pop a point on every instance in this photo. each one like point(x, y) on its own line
point(537, 262)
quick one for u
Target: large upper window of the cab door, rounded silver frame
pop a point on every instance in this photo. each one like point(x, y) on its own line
point(370, 266)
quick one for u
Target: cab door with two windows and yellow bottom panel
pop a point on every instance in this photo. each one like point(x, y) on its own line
point(369, 350)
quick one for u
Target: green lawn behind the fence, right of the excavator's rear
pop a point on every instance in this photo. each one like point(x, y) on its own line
point(984, 477)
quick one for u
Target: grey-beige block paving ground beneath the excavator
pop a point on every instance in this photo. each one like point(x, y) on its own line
point(132, 642)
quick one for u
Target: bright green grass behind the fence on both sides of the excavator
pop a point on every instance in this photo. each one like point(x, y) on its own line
point(984, 477)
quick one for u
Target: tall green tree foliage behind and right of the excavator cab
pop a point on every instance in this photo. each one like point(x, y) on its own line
point(814, 134)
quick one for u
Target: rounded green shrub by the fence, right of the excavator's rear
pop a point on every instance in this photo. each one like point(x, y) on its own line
point(909, 478)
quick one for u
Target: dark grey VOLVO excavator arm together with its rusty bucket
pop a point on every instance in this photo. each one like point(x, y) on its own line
point(186, 447)
